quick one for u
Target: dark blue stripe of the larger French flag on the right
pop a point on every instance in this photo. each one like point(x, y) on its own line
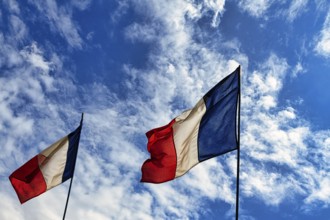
point(217, 131)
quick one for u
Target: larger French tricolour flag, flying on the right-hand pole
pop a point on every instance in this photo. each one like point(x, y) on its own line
point(205, 131)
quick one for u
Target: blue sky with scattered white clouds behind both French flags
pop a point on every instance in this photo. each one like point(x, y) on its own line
point(133, 65)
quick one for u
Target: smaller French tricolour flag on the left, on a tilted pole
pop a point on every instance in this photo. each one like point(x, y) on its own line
point(48, 169)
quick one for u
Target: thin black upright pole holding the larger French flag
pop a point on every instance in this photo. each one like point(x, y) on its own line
point(238, 141)
